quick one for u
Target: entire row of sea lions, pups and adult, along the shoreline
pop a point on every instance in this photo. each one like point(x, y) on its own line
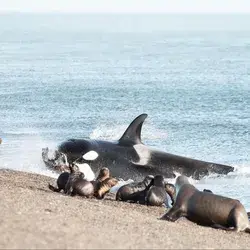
point(181, 199)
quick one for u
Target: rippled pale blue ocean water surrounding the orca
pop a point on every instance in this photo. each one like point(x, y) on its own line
point(88, 76)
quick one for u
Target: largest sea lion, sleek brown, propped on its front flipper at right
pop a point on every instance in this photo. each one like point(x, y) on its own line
point(207, 209)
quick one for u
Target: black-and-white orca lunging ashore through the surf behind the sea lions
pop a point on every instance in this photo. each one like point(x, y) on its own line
point(130, 158)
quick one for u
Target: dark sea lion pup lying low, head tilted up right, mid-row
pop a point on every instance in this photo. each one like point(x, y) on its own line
point(134, 191)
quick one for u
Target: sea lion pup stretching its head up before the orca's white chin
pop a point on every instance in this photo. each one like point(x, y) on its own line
point(77, 185)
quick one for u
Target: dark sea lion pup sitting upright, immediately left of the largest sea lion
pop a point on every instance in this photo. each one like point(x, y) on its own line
point(157, 195)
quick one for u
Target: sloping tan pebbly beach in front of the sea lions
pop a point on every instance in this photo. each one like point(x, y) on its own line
point(32, 216)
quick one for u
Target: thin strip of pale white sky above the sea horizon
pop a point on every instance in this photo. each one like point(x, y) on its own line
point(127, 6)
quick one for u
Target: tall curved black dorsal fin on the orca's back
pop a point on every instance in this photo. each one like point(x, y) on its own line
point(132, 135)
